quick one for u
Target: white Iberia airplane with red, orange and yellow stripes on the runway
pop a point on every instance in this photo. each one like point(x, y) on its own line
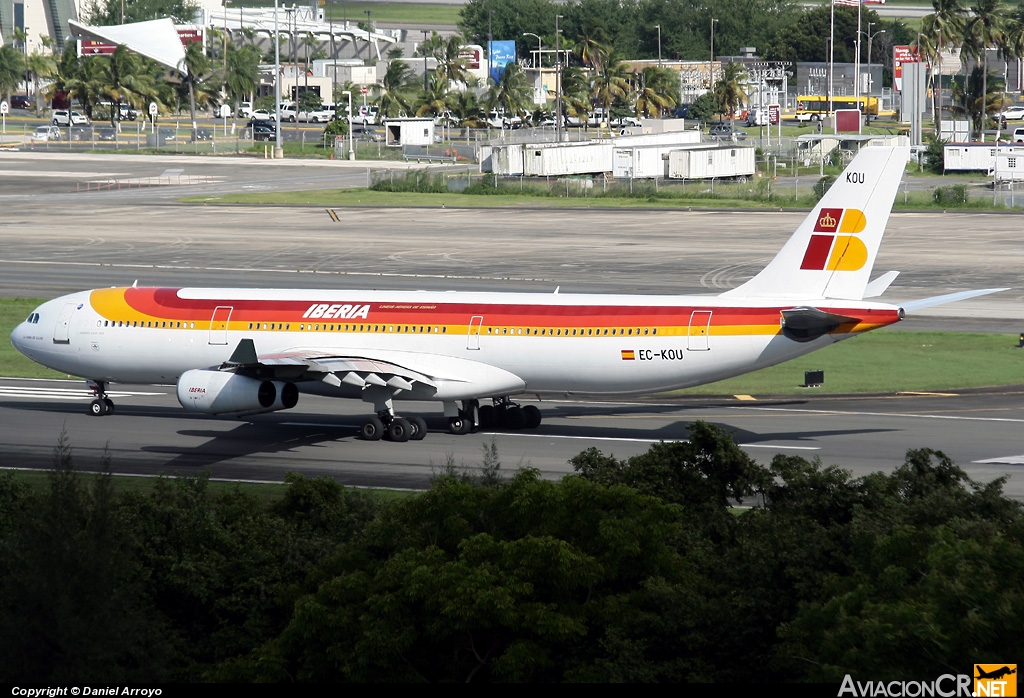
point(237, 353)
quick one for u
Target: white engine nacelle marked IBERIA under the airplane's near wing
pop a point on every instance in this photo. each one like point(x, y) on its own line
point(219, 392)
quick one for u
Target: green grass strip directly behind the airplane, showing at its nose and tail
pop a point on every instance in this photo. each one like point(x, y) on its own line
point(882, 362)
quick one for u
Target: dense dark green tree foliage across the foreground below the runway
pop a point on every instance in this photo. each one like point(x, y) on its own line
point(629, 571)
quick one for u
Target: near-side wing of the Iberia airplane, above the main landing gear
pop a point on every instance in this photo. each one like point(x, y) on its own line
point(416, 375)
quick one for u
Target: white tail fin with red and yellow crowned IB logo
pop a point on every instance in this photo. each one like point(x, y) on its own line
point(832, 253)
